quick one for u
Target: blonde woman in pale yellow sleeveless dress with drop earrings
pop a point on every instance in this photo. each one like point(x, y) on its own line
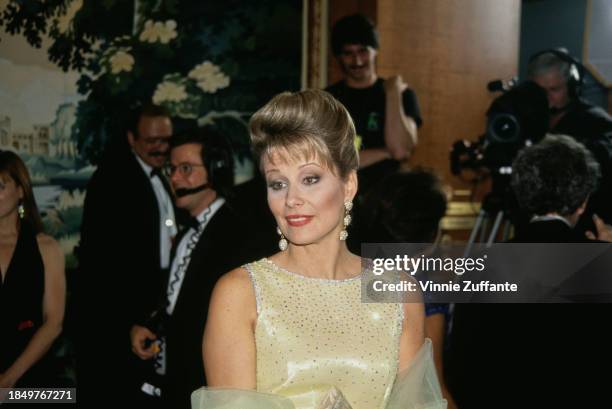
point(291, 330)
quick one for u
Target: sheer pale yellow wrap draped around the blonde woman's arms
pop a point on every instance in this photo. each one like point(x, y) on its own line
point(416, 387)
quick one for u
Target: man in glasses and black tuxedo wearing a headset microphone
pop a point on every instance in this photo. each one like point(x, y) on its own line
point(216, 240)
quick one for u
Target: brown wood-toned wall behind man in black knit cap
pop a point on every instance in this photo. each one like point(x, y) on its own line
point(447, 51)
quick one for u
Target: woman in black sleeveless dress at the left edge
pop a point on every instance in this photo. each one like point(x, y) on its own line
point(33, 286)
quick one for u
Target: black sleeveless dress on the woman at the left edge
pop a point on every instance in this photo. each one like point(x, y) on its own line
point(21, 307)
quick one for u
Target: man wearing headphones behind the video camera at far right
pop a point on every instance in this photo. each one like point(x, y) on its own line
point(561, 76)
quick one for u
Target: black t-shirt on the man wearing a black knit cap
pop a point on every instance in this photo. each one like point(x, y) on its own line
point(367, 108)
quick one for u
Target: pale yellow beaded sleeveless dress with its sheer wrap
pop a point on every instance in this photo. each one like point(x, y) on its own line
point(317, 343)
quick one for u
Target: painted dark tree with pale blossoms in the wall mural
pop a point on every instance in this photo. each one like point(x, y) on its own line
point(206, 61)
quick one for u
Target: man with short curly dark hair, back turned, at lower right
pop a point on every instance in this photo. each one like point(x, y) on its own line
point(519, 355)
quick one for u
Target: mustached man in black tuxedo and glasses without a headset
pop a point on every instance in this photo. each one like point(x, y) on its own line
point(126, 237)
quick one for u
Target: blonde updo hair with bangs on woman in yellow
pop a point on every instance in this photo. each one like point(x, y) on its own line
point(309, 124)
